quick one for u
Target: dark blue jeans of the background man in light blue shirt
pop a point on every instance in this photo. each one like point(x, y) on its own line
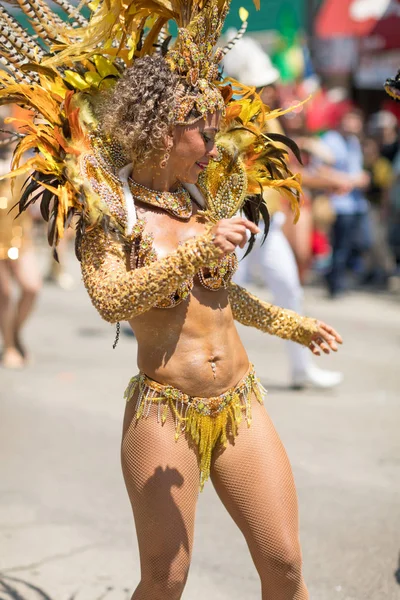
point(351, 236)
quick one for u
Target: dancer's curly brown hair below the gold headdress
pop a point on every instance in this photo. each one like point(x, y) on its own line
point(139, 111)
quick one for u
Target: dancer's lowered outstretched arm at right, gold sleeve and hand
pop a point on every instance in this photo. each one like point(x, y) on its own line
point(249, 310)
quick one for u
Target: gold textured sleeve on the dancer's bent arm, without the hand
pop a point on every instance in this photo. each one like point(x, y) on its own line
point(120, 294)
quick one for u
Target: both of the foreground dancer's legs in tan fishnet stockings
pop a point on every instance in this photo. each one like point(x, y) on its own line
point(253, 478)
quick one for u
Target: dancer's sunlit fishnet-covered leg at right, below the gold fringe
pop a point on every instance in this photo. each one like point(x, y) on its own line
point(254, 480)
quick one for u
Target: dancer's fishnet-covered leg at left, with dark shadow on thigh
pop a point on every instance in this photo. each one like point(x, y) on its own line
point(162, 478)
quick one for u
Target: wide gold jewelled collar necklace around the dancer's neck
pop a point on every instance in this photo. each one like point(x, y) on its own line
point(178, 204)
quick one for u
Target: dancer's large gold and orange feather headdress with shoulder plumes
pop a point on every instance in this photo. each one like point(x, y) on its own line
point(78, 58)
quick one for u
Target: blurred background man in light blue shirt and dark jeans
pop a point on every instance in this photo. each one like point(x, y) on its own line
point(351, 231)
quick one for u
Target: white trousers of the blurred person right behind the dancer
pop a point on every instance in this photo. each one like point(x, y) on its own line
point(277, 268)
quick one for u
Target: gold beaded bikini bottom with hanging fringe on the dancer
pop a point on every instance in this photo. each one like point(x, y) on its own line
point(207, 421)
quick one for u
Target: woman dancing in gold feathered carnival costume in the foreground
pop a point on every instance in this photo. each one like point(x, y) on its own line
point(159, 187)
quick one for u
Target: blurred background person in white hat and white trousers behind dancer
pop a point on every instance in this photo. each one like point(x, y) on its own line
point(251, 66)
